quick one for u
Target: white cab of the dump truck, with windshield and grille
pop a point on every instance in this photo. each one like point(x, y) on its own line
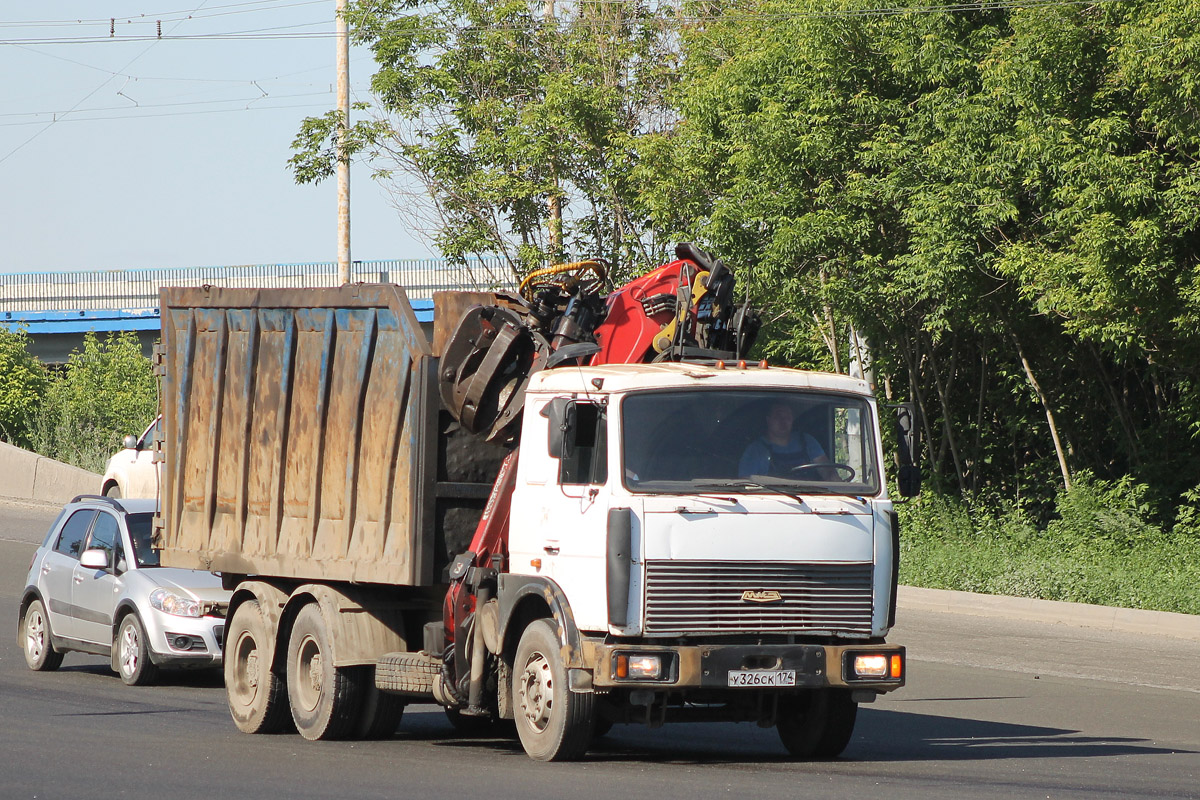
point(681, 507)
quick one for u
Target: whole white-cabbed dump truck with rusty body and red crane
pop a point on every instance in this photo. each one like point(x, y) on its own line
point(555, 510)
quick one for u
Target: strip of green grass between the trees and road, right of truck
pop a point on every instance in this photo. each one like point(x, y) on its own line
point(1099, 549)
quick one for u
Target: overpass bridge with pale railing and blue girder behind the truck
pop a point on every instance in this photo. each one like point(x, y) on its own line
point(58, 309)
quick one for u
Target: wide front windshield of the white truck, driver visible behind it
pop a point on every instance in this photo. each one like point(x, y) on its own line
point(752, 442)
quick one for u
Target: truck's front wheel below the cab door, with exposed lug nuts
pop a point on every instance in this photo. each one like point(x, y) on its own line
point(554, 723)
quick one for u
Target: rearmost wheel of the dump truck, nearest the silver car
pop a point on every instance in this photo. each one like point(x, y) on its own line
point(255, 693)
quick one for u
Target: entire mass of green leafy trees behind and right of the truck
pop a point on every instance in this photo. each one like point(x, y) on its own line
point(1004, 203)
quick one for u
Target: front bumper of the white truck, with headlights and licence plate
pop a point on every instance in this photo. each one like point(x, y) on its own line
point(709, 666)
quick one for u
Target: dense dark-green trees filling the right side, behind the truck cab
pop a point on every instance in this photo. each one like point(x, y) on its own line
point(1003, 202)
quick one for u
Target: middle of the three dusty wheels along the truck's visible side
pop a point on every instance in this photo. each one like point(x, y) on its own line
point(325, 700)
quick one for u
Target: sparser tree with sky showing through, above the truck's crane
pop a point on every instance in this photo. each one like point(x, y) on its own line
point(517, 121)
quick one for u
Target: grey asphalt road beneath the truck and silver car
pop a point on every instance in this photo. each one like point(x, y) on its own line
point(993, 709)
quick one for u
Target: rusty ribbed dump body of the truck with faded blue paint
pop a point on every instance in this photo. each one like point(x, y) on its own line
point(303, 437)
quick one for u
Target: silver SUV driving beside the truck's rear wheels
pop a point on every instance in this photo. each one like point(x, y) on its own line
point(95, 586)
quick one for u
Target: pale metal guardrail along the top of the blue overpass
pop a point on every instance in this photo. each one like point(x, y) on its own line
point(136, 290)
